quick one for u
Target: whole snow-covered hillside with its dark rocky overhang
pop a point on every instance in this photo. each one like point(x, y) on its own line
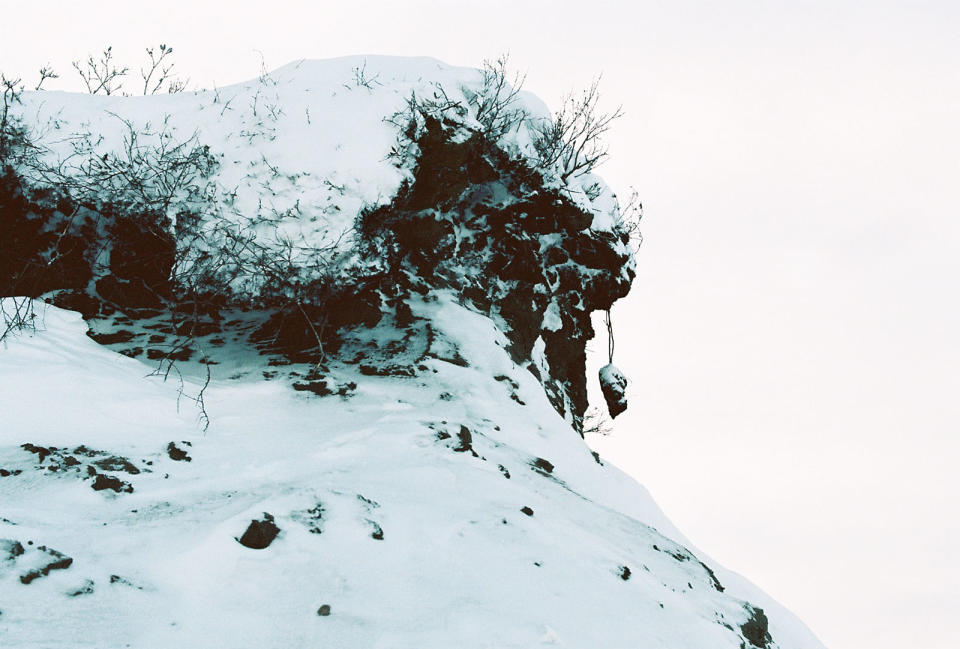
point(375, 446)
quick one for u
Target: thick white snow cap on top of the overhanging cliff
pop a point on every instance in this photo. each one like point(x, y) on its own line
point(296, 154)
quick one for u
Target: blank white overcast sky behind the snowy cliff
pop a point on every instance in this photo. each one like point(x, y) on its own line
point(792, 336)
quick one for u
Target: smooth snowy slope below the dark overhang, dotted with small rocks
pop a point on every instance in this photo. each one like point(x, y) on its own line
point(406, 520)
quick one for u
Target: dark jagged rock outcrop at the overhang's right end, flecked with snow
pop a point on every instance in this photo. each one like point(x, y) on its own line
point(529, 250)
